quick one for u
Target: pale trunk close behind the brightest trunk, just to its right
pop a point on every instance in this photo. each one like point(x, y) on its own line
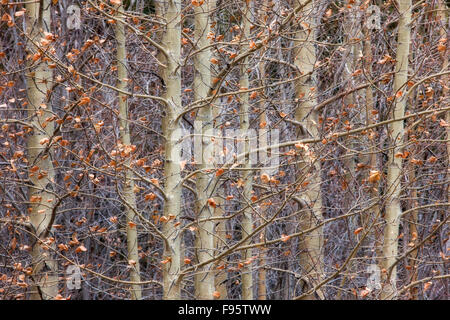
point(204, 241)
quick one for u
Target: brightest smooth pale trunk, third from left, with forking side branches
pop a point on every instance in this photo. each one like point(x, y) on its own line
point(172, 133)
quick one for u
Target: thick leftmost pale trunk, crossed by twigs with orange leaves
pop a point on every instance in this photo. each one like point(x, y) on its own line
point(39, 81)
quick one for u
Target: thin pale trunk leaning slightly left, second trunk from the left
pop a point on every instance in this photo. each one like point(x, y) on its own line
point(128, 183)
